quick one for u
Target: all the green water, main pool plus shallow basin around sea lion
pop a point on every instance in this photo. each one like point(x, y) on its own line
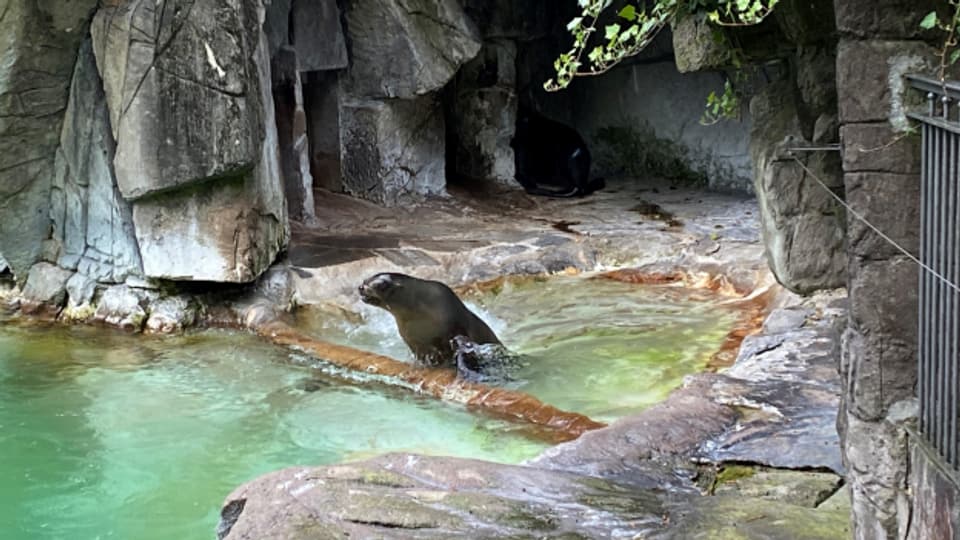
point(109, 435)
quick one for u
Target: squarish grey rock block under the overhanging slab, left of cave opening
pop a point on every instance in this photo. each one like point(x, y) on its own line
point(392, 150)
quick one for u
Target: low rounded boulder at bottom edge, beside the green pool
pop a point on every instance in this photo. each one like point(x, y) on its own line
point(410, 496)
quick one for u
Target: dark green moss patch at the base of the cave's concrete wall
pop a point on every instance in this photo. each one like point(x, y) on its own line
point(631, 151)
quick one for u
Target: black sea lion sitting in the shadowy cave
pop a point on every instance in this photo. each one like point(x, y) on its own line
point(551, 158)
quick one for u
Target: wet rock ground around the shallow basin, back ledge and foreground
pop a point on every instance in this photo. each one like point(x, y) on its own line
point(773, 411)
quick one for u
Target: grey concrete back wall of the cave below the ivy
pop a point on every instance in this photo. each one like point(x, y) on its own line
point(661, 109)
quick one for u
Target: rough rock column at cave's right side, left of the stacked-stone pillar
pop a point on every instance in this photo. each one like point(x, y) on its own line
point(803, 226)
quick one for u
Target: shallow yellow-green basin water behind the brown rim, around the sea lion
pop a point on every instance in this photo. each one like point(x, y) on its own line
point(598, 347)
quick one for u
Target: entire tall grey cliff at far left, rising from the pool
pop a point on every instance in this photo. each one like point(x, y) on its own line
point(142, 146)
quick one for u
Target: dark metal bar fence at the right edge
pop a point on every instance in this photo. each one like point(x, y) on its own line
point(939, 320)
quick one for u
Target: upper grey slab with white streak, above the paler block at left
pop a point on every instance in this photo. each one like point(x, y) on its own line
point(181, 85)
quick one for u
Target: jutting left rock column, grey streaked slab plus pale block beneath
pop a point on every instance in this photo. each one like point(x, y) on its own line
point(196, 137)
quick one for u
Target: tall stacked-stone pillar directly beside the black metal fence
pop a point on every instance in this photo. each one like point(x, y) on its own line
point(878, 45)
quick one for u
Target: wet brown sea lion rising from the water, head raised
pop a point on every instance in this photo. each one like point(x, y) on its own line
point(429, 315)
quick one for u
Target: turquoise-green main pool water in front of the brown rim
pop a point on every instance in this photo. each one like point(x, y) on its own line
point(106, 435)
